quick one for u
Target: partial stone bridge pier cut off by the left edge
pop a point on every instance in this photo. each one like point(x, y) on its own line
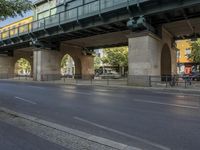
point(6, 67)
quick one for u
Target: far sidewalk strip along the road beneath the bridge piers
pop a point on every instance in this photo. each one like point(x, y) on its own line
point(104, 83)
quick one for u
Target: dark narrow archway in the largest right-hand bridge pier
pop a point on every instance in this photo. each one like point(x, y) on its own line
point(166, 64)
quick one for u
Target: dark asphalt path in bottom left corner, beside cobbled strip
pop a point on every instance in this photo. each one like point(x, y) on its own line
point(12, 138)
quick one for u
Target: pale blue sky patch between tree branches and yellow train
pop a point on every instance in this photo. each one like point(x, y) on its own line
point(10, 20)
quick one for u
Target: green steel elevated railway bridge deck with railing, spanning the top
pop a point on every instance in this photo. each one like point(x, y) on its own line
point(97, 17)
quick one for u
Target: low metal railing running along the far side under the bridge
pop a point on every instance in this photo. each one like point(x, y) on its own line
point(147, 81)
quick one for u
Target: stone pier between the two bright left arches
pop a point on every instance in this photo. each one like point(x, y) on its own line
point(46, 65)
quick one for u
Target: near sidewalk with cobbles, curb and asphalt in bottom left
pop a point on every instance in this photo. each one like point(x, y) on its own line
point(53, 136)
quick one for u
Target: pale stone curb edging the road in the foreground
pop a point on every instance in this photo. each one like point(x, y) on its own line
point(102, 141)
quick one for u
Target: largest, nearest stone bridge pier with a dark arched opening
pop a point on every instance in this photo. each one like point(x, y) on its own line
point(150, 55)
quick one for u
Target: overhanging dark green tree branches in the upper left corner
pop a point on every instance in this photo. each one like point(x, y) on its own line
point(12, 8)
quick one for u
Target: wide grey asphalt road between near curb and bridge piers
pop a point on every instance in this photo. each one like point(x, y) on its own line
point(153, 120)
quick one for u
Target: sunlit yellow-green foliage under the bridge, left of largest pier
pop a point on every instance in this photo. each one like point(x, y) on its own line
point(116, 56)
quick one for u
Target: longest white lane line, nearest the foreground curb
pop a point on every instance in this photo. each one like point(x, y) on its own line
point(123, 134)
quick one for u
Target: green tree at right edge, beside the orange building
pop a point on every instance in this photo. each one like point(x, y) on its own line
point(195, 52)
